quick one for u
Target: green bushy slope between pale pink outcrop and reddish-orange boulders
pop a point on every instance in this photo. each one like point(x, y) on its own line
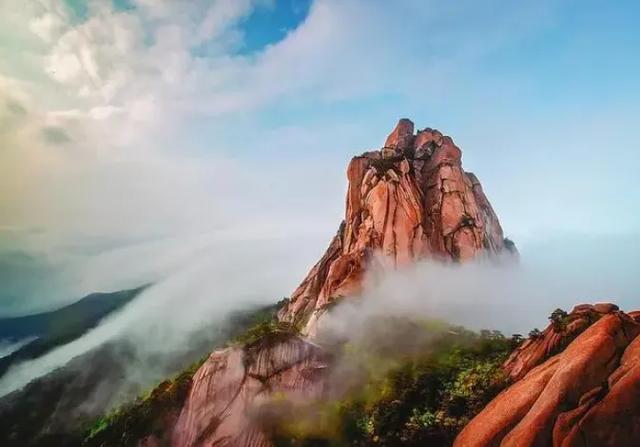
point(408, 395)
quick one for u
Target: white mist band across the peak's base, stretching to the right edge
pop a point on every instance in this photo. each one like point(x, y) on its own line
point(498, 294)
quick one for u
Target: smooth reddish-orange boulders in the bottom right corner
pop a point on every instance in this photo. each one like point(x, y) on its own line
point(585, 395)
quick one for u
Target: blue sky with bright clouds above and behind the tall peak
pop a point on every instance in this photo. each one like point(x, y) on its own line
point(125, 122)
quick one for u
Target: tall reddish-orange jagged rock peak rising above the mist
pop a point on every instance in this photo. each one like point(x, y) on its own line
point(408, 201)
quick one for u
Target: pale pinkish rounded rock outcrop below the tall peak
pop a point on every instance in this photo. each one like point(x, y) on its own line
point(231, 387)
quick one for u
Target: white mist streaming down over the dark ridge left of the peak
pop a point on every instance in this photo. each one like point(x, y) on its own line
point(213, 277)
